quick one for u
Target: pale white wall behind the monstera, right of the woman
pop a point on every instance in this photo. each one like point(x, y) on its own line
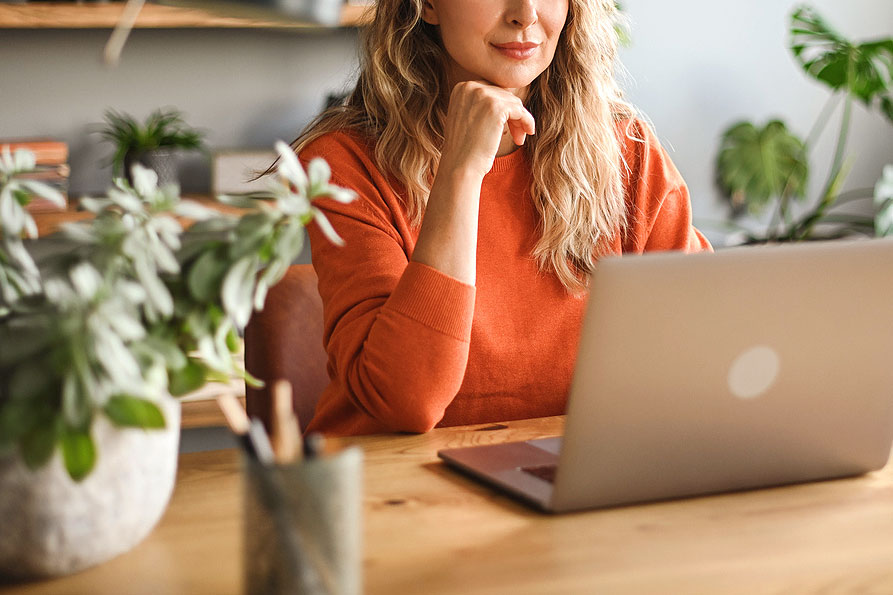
point(699, 65)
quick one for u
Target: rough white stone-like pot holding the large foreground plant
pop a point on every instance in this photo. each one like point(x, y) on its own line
point(51, 525)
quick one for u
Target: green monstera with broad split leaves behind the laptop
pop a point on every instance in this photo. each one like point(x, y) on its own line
point(762, 167)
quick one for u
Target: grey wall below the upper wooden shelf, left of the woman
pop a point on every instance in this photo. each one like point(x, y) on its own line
point(246, 88)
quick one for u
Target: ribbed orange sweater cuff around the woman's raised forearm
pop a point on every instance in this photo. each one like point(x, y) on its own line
point(434, 299)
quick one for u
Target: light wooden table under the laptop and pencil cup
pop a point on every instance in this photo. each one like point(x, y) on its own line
point(429, 530)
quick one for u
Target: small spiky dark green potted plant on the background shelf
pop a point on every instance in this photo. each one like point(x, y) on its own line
point(152, 144)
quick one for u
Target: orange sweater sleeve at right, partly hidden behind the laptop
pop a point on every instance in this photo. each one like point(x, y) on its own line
point(658, 198)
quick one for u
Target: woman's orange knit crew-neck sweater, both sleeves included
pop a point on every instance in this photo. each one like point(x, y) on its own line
point(411, 348)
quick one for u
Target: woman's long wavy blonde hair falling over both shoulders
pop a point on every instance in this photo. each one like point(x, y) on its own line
point(400, 102)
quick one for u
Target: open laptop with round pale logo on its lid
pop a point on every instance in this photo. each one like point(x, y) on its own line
point(707, 373)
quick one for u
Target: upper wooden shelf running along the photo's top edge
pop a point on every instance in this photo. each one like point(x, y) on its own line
point(76, 15)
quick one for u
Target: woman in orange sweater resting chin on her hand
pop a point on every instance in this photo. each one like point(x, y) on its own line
point(458, 295)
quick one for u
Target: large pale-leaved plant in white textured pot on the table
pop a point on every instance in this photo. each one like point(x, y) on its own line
point(99, 325)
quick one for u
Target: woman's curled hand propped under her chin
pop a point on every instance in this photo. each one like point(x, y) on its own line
point(476, 121)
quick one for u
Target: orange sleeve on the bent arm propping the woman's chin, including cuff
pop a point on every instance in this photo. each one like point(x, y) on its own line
point(396, 332)
